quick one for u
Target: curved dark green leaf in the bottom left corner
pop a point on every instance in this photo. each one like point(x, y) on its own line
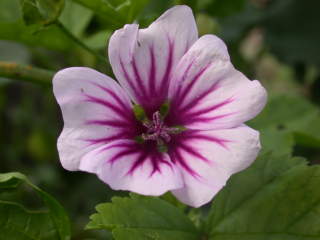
point(15, 218)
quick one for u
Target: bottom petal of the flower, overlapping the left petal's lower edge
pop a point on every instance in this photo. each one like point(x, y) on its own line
point(123, 165)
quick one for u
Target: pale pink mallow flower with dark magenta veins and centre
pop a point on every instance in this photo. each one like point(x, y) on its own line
point(175, 121)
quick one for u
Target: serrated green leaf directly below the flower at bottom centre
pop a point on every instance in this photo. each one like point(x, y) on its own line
point(142, 218)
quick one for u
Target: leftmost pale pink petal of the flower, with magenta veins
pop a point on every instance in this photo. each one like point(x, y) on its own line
point(95, 111)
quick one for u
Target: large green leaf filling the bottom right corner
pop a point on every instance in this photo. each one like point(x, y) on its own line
point(276, 198)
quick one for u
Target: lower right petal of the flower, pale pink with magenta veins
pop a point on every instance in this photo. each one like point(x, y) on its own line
point(212, 157)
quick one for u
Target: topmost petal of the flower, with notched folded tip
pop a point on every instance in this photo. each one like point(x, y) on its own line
point(143, 60)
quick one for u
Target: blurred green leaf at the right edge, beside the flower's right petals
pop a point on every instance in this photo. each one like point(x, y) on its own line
point(292, 114)
